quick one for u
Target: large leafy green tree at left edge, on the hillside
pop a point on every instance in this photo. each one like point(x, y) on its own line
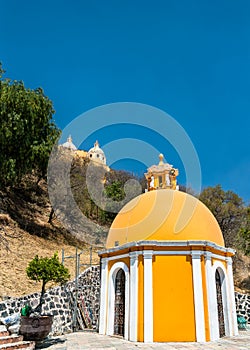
point(27, 131)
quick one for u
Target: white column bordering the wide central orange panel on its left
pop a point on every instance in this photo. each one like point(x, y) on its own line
point(148, 296)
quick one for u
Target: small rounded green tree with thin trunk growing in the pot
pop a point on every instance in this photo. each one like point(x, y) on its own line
point(47, 270)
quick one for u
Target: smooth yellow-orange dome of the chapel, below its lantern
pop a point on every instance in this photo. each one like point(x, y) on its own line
point(164, 215)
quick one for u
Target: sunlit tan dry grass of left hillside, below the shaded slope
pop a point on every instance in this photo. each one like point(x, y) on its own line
point(22, 247)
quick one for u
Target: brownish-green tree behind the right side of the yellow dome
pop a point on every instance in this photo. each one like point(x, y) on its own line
point(229, 210)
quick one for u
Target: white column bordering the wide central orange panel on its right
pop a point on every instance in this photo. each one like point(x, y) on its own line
point(198, 297)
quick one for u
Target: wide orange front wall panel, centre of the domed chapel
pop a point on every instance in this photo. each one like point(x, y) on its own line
point(174, 318)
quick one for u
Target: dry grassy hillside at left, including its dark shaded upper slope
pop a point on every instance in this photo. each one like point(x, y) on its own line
point(25, 232)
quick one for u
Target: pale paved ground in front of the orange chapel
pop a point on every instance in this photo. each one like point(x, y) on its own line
point(92, 340)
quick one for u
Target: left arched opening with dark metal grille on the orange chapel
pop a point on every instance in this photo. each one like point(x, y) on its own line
point(119, 307)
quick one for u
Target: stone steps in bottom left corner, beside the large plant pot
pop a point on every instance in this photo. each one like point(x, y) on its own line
point(13, 342)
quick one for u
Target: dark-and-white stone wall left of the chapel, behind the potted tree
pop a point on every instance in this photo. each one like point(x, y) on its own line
point(59, 301)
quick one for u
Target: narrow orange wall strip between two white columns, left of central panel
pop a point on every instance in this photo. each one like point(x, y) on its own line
point(140, 331)
